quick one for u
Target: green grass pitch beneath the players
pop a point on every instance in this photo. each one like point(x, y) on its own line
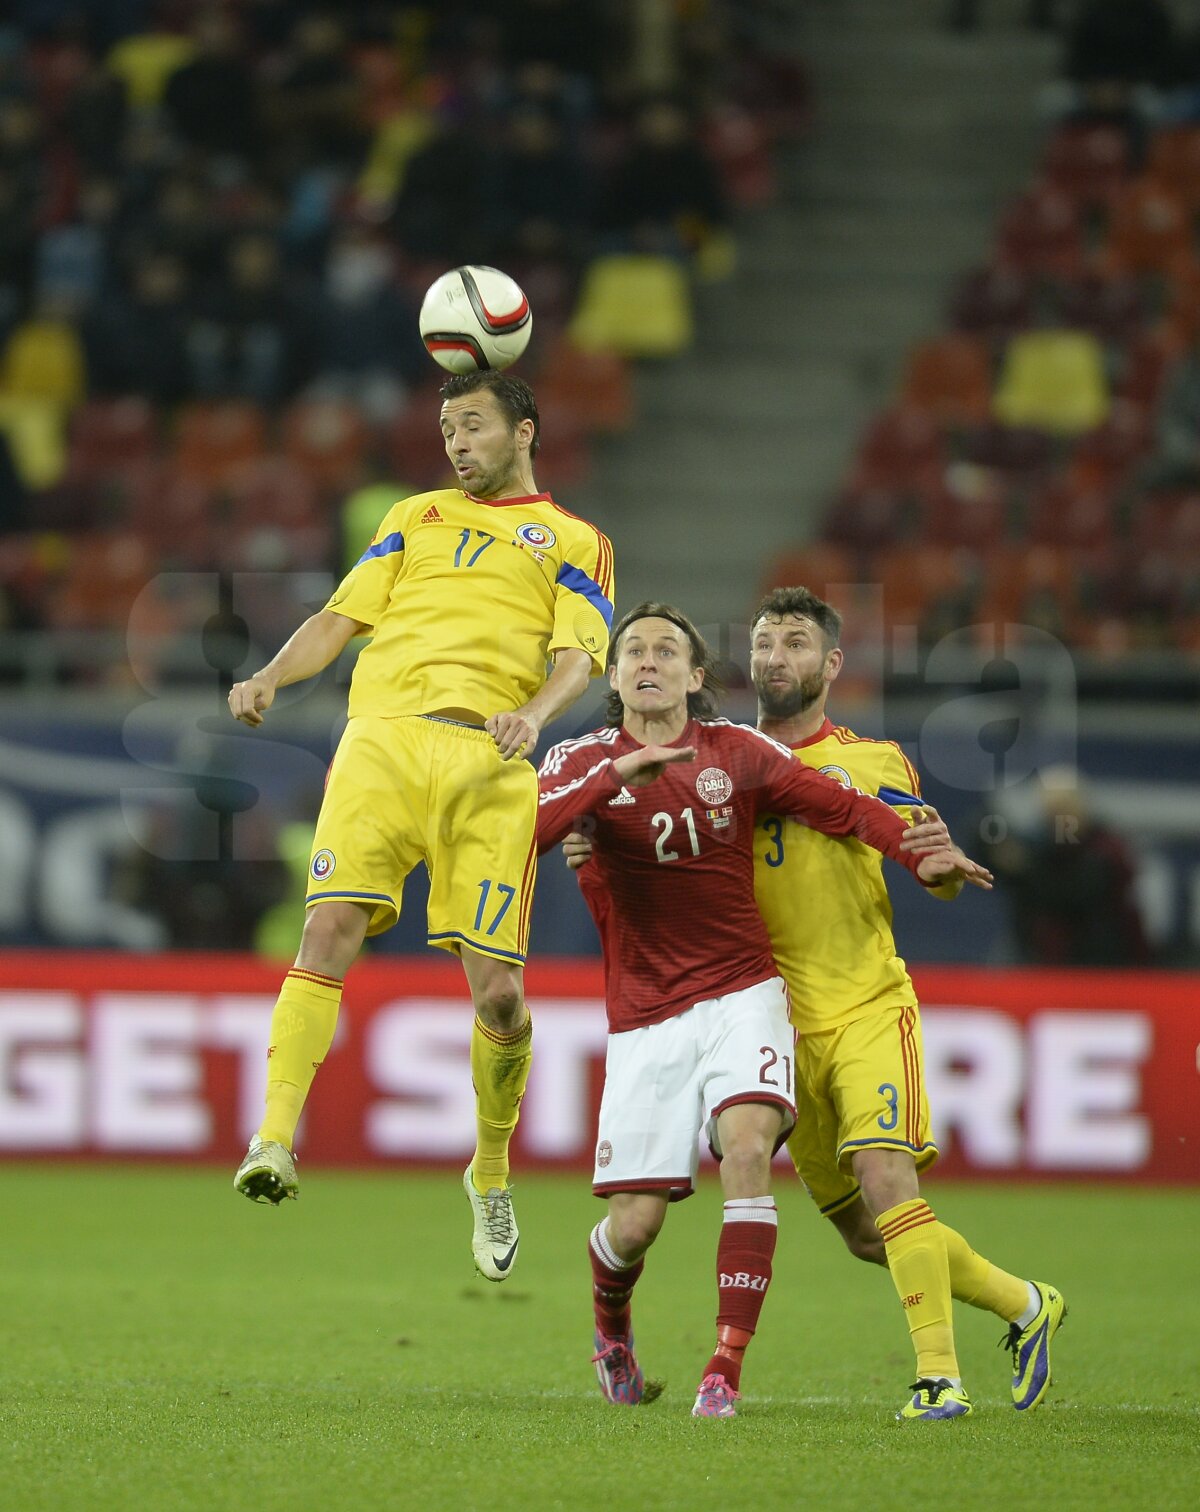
point(172, 1346)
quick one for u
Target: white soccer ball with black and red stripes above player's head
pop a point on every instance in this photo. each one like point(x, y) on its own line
point(475, 318)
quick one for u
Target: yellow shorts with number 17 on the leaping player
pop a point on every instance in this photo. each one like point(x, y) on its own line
point(418, 789)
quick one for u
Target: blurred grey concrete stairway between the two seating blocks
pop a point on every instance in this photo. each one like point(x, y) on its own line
point(921, 135)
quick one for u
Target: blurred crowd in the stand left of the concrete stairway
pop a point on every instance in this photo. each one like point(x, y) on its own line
point(217, 223)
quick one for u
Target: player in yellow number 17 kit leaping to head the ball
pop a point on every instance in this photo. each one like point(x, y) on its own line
point(466, 595)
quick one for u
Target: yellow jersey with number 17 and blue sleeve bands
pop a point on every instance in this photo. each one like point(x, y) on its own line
point(469, 598)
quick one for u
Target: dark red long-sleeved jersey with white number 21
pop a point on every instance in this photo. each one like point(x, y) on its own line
point(672, 881)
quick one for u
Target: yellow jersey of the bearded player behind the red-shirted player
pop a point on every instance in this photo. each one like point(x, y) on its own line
point(824, 900)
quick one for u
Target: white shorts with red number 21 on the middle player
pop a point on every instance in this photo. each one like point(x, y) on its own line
point(669, 1082)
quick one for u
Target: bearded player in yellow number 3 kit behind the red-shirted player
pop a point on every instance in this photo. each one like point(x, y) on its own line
point(862, 1130)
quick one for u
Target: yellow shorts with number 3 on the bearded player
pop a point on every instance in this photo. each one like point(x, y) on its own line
point(861, 1086)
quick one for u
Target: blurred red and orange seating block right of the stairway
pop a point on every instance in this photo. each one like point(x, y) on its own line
point(1041, 463)
